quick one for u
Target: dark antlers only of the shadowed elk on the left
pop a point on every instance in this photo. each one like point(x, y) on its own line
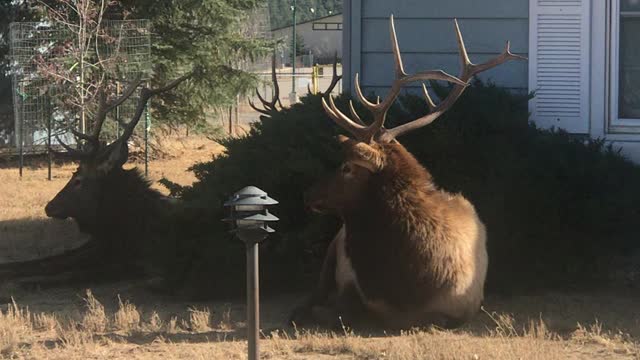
point(104, 107)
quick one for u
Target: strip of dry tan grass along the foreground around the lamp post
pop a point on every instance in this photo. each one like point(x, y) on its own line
point(192, 335)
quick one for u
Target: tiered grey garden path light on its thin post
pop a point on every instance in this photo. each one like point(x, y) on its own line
point(250, 217)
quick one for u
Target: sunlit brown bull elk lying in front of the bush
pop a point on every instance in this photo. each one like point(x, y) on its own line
point(408, 254)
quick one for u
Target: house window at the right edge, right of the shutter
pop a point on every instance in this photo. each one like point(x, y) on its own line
point(625, 63)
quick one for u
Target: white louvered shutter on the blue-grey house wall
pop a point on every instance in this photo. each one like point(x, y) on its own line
point(559, 63)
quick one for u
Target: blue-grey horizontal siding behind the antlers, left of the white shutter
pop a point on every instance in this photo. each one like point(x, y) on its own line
point(427, 38)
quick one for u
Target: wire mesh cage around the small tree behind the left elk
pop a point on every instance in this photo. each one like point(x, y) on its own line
point(39, 116)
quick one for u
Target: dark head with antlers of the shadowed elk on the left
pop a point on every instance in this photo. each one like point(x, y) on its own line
point(99, 162)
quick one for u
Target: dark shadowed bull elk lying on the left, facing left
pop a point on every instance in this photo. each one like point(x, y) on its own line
point(116, 207)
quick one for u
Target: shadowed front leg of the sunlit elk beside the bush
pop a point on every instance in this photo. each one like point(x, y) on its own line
point(326, 286)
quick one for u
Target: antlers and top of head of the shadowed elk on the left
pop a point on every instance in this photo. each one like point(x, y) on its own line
point(115, 153)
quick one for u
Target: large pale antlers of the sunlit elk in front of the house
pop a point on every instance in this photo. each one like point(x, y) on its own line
point(376, 131)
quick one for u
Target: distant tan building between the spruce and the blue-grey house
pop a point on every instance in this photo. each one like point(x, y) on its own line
point(321, 43)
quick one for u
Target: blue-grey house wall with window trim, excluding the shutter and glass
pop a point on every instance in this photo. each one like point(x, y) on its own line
point(427, 41)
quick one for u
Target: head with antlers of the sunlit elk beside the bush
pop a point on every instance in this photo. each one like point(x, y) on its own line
point(373, 151)
